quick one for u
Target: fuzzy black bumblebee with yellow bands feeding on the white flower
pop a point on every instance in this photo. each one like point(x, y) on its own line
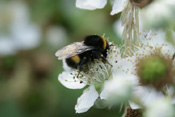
point(78, 54)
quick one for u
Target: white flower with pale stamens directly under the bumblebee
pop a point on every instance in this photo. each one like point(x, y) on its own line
point(96, 75)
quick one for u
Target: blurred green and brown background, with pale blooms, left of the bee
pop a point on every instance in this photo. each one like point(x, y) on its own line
point(31, 31)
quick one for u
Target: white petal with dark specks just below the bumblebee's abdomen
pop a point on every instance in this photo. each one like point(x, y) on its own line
point(69, 81)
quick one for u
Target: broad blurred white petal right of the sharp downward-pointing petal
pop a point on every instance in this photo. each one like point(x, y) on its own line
point(112, 90)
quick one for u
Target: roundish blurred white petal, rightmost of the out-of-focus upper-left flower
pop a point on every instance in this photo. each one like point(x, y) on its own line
point(26, 36)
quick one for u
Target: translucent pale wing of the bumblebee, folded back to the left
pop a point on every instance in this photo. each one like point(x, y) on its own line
point(72, 50)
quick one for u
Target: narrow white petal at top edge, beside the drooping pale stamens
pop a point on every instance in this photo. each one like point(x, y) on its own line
point(118, 6)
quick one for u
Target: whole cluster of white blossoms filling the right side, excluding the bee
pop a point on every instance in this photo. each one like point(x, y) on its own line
point(142, 75)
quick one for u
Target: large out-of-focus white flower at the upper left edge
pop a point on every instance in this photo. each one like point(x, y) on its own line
point(17, 32)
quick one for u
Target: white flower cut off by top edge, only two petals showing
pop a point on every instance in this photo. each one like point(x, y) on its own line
point(118, 5)
